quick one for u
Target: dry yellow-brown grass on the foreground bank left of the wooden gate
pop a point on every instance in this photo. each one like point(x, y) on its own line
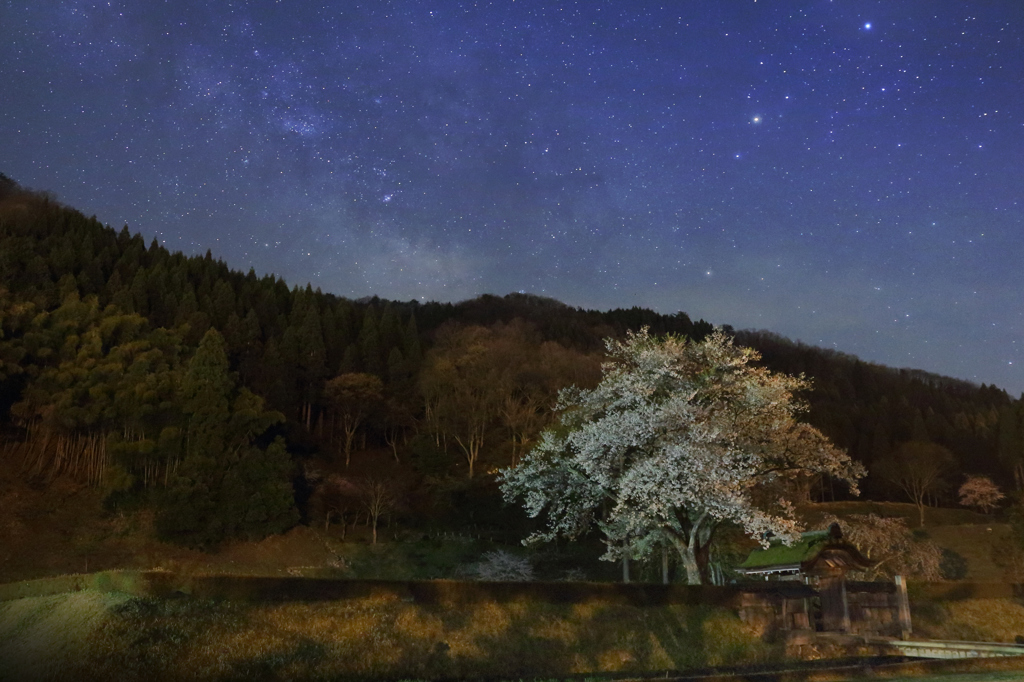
point(378, 637)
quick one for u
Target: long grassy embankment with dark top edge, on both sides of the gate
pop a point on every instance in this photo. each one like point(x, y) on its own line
point(164, 626)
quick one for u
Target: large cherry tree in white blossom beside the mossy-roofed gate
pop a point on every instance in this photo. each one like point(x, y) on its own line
point(678, 438)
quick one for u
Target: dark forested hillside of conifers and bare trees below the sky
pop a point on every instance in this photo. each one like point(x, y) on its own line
point(217, 397)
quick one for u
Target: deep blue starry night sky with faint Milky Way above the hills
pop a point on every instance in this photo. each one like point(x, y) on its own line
point(847, 174)
